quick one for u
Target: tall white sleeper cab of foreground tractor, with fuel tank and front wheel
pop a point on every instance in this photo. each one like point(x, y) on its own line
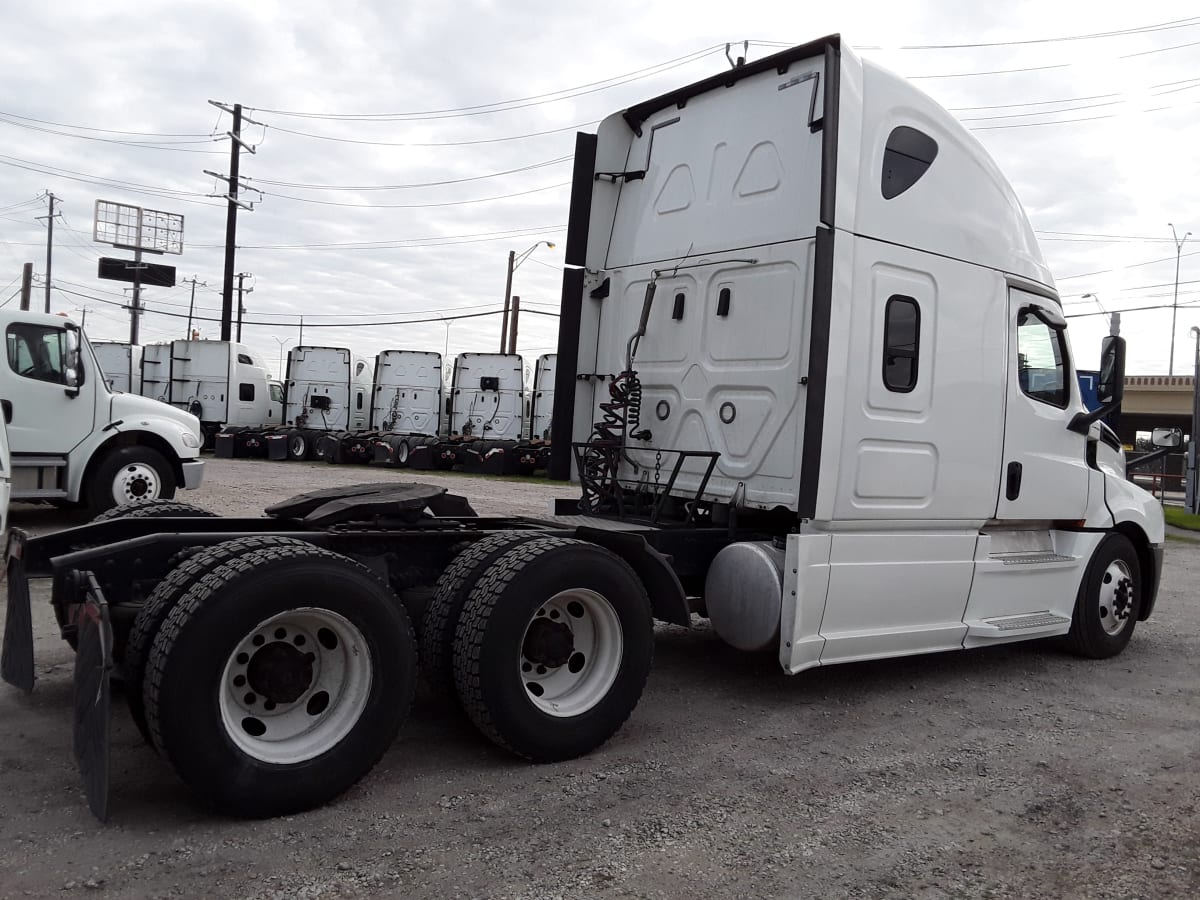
point(826, 304)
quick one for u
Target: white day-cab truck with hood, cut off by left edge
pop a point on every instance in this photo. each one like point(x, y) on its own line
point(73, 439)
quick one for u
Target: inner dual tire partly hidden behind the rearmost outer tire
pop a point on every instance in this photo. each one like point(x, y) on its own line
point(169, 592)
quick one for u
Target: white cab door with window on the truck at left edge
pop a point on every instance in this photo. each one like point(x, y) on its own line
point(51, 391)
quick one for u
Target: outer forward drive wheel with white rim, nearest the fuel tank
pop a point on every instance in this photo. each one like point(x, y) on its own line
point(495, 641)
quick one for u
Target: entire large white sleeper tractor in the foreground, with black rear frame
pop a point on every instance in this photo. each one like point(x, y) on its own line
point(814, 382)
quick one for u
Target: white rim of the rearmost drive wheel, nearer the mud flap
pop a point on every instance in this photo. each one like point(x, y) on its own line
point(296, 686)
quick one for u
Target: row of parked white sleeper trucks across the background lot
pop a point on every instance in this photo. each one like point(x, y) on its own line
point(337, 406)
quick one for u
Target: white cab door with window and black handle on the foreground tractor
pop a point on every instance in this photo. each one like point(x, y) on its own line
point(1045, 467)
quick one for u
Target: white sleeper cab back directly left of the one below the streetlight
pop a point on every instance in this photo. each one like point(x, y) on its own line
point(407, 393)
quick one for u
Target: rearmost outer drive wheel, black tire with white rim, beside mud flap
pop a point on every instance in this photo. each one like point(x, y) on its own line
point(254, 611)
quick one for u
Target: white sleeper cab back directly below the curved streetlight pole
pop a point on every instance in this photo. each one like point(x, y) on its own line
point(487, 397)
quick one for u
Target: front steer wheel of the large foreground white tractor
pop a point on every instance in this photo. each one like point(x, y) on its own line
point(1114, 562)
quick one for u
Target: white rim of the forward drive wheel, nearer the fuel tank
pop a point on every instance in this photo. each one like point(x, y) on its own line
point(571, 653)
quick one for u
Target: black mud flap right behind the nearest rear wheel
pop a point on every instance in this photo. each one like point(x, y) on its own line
point(93, 699)
